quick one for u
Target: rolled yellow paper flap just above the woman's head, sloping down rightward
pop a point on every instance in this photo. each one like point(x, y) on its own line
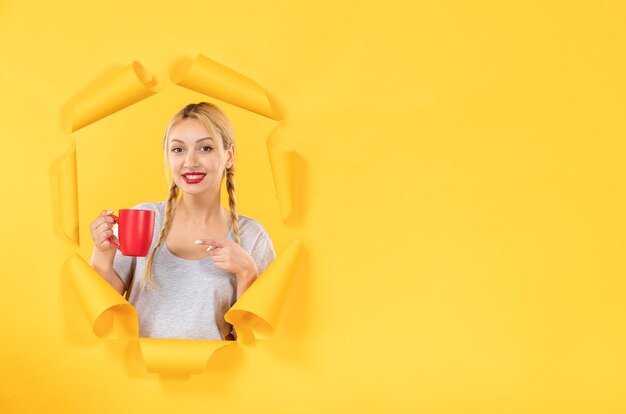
point(218, 81)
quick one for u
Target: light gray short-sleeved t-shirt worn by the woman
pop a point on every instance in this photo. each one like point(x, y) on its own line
point(193, 295)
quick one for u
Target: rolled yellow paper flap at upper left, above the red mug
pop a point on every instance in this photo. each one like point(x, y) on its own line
point(113, 93)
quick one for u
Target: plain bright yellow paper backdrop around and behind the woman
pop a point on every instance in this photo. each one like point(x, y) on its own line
point(459, 188)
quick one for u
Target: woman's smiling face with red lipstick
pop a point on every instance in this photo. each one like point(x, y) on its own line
point(194, 149)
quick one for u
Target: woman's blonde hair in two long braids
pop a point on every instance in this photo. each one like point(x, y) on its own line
point(216, 122)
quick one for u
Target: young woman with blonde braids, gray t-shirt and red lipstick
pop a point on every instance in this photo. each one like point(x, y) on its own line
point(182, 289)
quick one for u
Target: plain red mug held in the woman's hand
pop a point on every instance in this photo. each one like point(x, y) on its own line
point(135, 230)
